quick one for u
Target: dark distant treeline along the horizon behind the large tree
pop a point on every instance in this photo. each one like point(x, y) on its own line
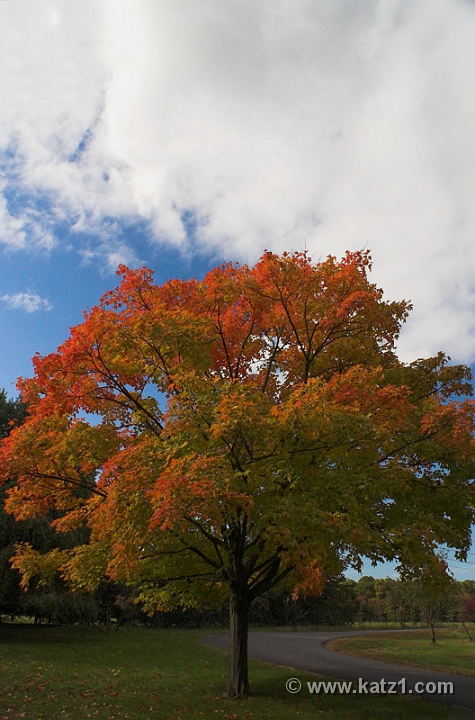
point(343, 602)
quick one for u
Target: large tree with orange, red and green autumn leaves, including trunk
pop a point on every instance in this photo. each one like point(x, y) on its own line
point(252, 428)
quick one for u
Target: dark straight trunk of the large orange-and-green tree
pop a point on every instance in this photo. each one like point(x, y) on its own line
point(238, 677)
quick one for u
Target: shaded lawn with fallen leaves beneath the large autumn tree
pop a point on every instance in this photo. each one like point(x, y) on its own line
point(140, 674)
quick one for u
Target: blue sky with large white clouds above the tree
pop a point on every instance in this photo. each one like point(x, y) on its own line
point(179, 135)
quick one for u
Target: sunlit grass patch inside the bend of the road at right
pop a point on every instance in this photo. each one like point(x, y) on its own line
point(452, 652)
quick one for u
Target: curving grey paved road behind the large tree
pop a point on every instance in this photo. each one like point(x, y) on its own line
point(307, 651)
